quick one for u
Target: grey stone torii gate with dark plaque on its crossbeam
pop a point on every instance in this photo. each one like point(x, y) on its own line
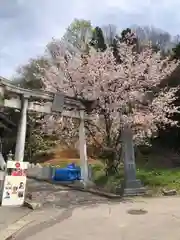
point(26, 100)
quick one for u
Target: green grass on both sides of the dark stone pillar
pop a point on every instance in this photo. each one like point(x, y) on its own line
point(153, 179)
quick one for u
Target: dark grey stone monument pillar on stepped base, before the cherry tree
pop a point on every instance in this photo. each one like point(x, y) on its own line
point(130, 186)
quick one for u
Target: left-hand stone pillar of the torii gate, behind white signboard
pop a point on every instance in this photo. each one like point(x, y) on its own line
point(21, 136)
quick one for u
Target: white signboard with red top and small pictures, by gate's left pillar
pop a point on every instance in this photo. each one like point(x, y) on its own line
point(14, 184)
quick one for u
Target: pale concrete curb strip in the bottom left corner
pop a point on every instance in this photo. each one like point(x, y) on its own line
point(12, 229)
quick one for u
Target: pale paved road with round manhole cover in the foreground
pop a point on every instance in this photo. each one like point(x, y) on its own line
point(92, 218)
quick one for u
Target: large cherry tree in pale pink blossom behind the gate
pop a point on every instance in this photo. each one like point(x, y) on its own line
point(127, 94)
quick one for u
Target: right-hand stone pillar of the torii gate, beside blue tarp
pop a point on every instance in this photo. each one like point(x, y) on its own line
point(83, 150)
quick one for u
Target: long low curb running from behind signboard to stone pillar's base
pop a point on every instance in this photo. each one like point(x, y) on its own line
point(80, 188)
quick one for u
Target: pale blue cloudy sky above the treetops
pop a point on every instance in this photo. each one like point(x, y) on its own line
point(28, 25)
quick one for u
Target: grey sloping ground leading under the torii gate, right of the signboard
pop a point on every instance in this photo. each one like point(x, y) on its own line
point(60, 196)
